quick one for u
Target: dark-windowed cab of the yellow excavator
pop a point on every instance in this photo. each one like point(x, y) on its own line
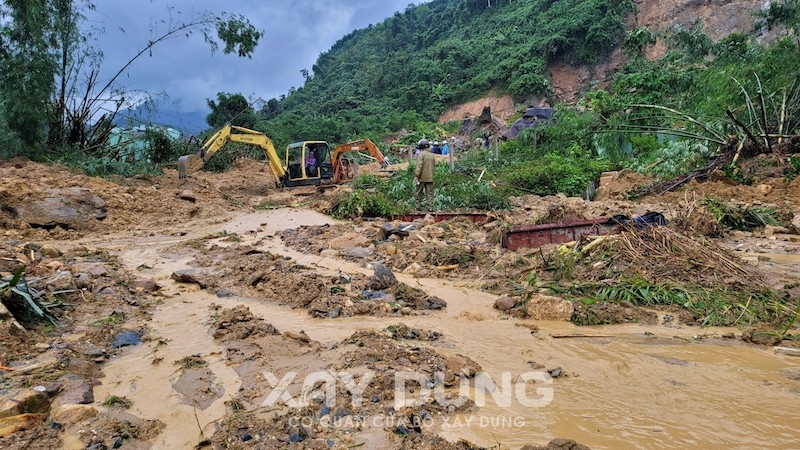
point(308, 162)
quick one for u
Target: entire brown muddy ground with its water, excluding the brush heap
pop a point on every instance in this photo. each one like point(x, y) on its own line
point(266, 324)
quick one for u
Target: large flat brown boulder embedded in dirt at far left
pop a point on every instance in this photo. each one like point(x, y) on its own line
point(70, 207)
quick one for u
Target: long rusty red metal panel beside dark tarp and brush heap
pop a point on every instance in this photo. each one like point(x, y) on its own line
point(556, 233)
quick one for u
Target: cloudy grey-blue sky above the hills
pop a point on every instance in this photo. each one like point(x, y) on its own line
point(295, 33)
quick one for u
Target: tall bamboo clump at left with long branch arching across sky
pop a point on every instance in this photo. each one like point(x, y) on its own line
point(51, 94)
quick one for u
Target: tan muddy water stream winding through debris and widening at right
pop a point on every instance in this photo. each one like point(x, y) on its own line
point(639, 387)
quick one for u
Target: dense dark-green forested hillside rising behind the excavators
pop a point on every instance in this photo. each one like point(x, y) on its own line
point(414, 65)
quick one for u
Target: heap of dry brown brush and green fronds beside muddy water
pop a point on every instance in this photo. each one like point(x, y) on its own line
point(660, 267)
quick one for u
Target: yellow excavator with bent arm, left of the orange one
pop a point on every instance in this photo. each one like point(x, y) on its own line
point(306, 163)
